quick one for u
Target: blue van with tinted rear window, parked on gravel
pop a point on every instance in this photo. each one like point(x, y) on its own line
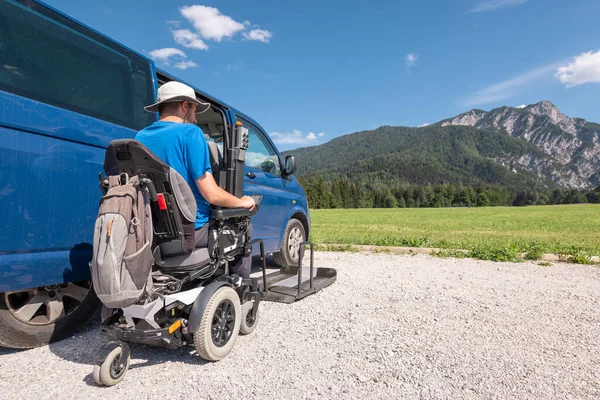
point(66, 91)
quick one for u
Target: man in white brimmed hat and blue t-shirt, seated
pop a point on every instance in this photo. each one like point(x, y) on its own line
point(177, 141)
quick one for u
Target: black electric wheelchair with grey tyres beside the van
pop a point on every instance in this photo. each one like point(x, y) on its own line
point(191, 296)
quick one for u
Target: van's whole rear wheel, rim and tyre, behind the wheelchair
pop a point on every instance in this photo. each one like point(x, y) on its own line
point(38, 316)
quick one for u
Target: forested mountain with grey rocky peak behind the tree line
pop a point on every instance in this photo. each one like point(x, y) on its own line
point(535, 146)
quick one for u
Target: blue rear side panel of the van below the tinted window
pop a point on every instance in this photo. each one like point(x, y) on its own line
point(49, 164)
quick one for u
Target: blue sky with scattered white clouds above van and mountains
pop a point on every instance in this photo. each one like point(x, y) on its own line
point(313, 70)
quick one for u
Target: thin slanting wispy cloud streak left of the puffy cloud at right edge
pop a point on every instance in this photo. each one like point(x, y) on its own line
point(508, 88)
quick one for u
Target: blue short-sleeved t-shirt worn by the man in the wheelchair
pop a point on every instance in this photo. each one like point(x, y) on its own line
point(183, 147)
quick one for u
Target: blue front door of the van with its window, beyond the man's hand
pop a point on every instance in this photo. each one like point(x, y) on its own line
point(263, 176)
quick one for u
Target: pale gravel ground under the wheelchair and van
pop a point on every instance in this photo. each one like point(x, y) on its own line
point(392, 326)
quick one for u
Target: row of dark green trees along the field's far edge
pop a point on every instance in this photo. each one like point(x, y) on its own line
point(344, 193)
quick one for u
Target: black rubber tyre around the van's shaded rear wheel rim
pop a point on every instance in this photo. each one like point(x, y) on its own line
point(17, 334)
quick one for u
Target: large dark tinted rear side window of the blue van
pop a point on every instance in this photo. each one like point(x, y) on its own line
point(47, 58)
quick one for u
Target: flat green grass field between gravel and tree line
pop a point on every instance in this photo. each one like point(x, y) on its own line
point(489, 233)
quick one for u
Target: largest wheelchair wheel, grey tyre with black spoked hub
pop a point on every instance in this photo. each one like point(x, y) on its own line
point(219, 326)
